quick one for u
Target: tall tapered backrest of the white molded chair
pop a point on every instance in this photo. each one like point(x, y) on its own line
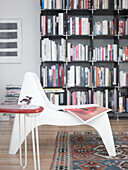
point(32, 87)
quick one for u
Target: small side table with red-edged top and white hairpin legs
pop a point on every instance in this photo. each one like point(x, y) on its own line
point(29, 111)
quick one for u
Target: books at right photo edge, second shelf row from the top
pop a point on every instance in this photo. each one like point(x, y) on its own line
point(123, 27)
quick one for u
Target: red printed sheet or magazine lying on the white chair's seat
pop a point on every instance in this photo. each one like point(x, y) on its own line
point(87, 112)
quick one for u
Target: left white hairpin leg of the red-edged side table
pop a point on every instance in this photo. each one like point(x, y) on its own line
point(21, 163)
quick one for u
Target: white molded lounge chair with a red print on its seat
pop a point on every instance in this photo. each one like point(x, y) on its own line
point(51, 116)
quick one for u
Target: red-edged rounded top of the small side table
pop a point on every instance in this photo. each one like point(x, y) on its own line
point(25, 109)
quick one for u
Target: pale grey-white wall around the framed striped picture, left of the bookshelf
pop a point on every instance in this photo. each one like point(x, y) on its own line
point(28, 11)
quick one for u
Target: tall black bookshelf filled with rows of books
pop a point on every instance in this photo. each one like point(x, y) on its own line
point(84, 51)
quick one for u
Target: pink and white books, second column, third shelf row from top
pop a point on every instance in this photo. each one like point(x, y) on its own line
point(78, 52)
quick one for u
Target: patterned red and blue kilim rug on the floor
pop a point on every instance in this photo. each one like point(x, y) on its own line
point(80, 151)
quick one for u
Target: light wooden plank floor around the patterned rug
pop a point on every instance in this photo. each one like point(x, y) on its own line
point(47, 137)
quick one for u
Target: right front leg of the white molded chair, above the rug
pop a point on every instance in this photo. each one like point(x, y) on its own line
point(102, 125)
